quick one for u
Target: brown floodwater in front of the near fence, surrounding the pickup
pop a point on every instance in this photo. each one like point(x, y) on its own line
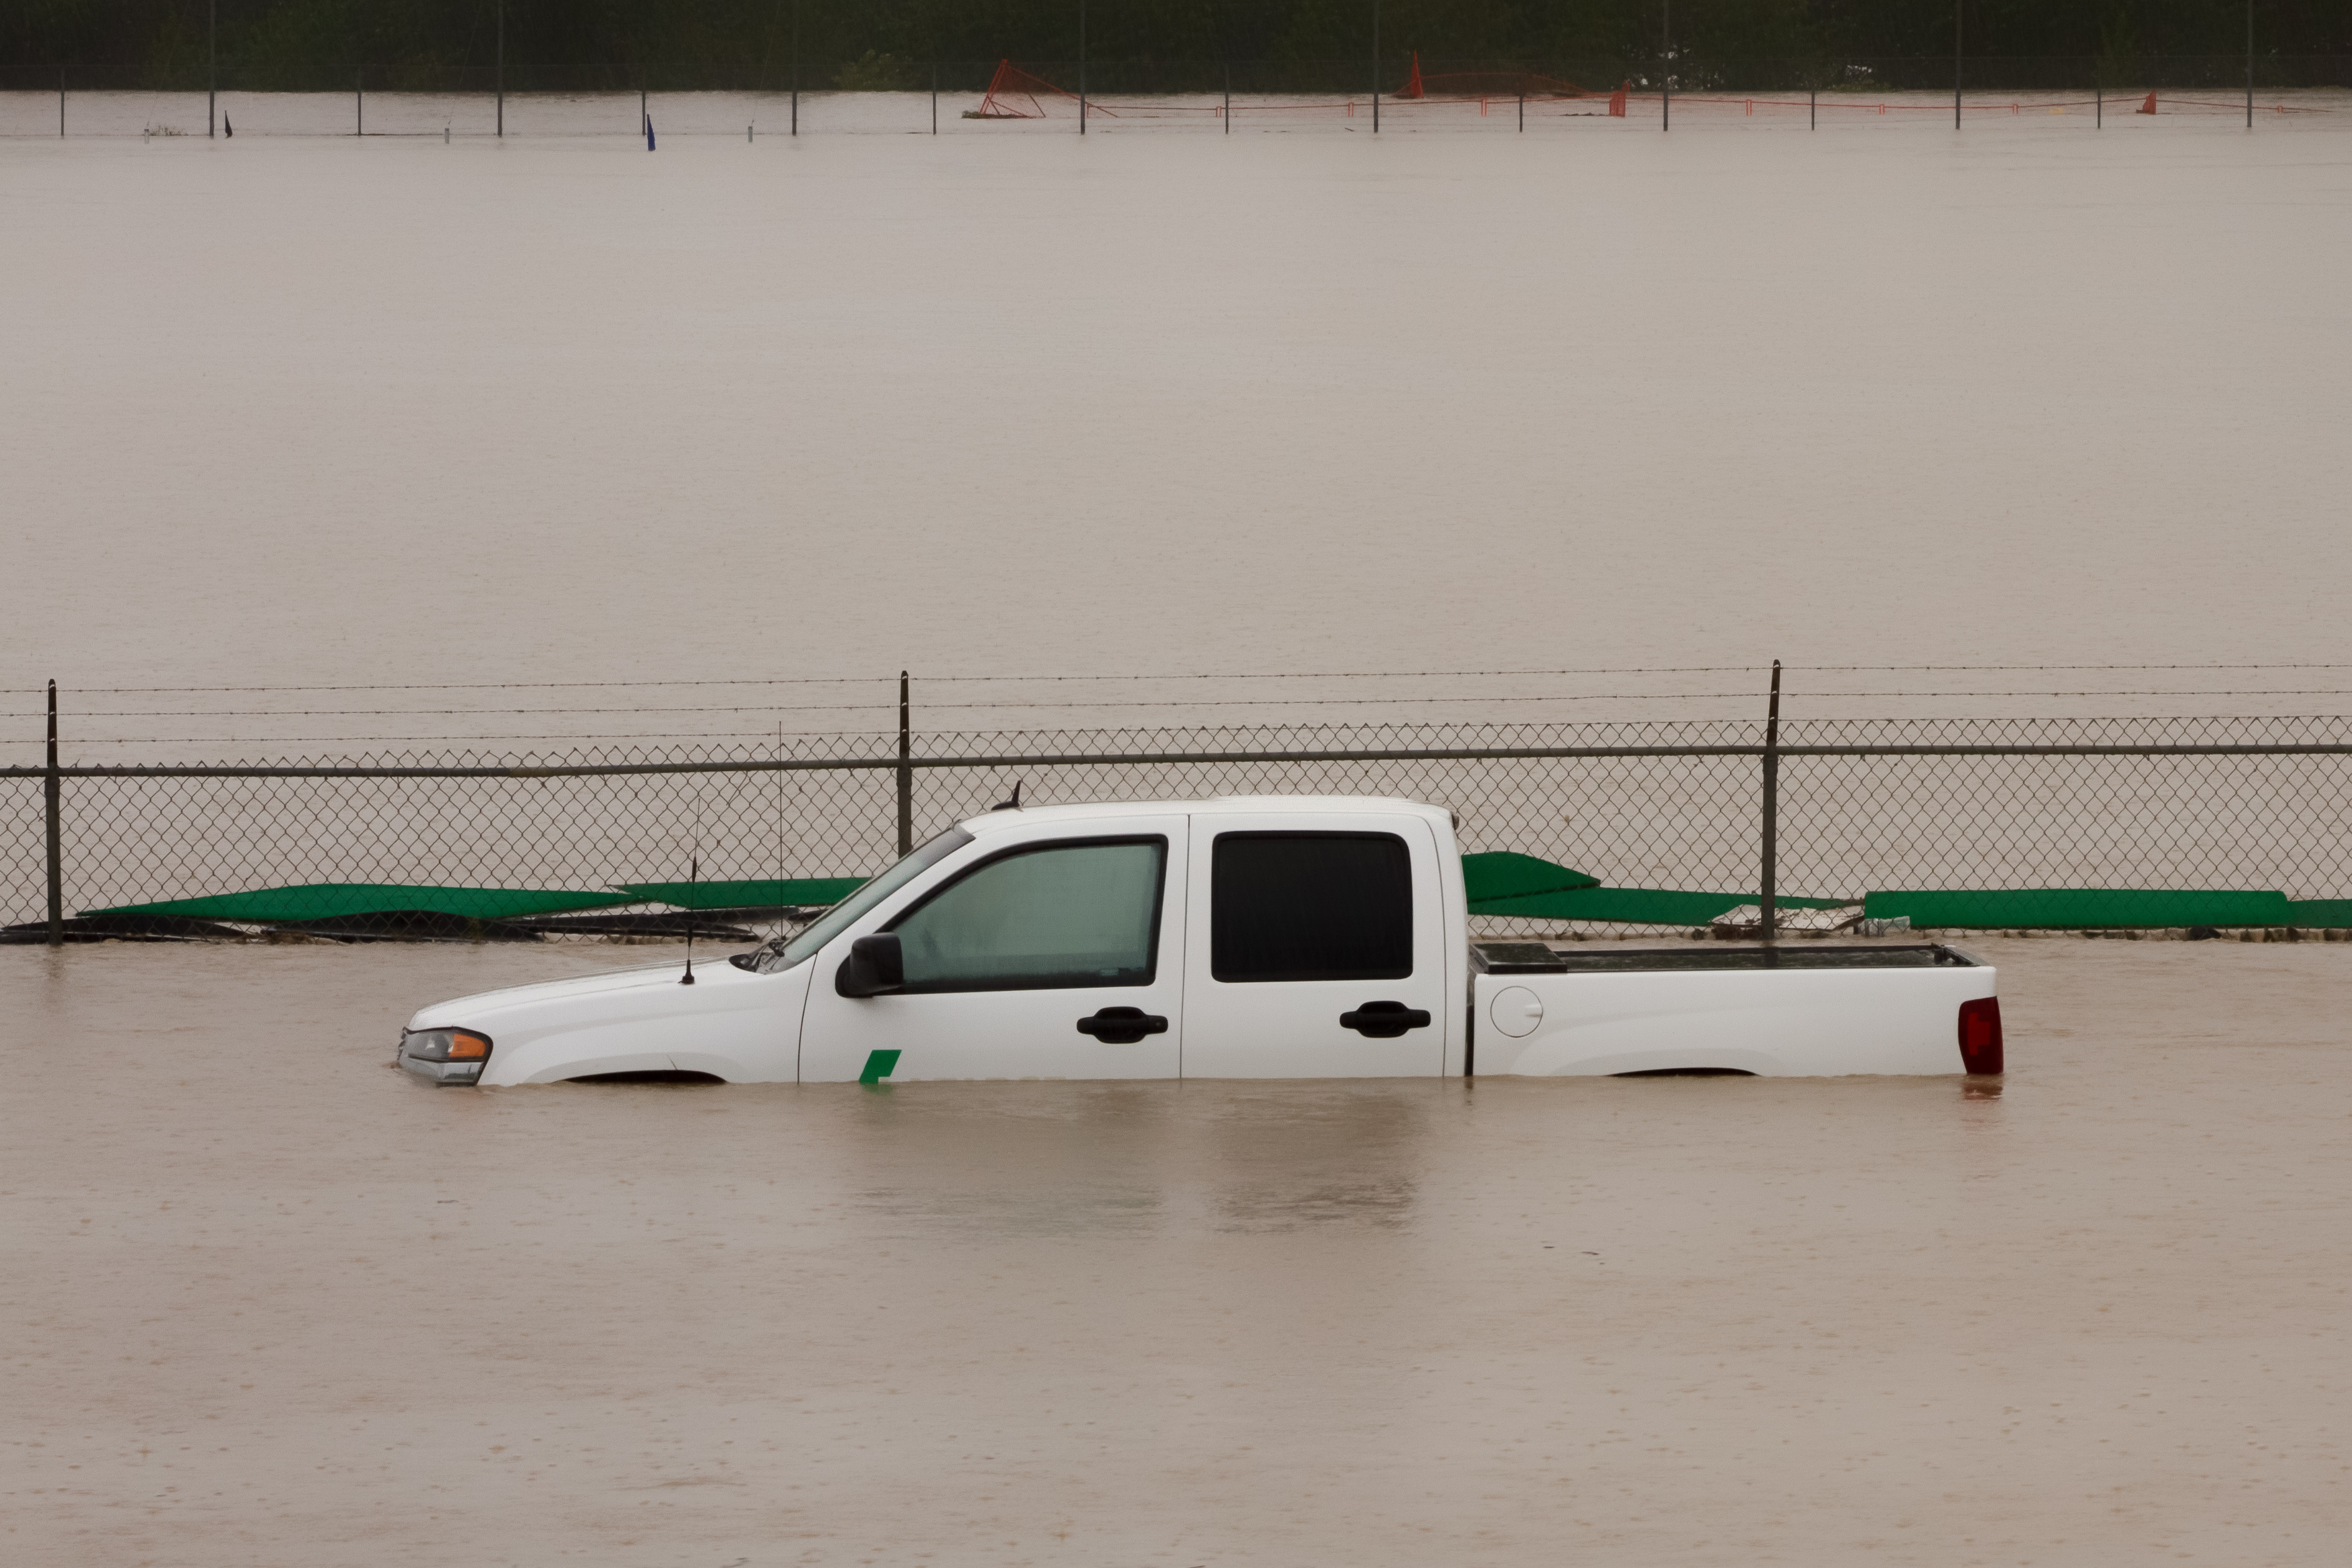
point(274, 1304)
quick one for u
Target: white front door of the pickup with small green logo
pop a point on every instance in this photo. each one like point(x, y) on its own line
point(1053, 958)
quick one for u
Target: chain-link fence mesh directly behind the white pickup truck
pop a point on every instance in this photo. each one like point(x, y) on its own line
point(1862, 810)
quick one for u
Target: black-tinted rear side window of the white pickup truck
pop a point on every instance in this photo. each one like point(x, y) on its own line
point(1311, 906)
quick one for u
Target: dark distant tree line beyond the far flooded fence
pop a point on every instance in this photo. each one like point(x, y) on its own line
point(860, 43)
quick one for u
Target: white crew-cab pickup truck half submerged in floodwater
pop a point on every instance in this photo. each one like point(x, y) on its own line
point(1229, 939)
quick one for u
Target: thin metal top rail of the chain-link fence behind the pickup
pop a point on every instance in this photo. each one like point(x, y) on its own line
point(1403, 753)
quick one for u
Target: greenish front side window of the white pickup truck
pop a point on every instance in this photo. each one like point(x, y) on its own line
point(1048, 918)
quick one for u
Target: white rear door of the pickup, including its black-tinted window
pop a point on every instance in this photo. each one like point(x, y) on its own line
point(1316, 949)
